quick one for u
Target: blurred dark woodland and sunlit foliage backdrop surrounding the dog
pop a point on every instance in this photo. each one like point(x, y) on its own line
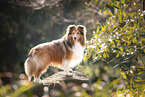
point(114, 58)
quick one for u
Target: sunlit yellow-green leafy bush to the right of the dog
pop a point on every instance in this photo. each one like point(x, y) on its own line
point(120, 42)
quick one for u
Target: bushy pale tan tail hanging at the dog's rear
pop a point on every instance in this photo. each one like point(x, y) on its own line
point(29, 67)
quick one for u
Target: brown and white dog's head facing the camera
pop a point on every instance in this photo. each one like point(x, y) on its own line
point(76, 34)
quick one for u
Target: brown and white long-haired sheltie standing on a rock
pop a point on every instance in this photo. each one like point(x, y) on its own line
point(64, 53)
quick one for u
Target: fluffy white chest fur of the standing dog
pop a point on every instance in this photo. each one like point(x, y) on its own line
point(78, 54)
